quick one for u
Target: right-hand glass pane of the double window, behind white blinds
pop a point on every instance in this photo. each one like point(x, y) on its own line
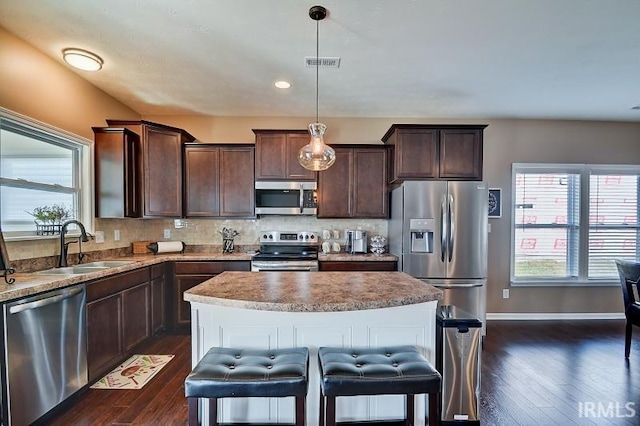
point(613, 222)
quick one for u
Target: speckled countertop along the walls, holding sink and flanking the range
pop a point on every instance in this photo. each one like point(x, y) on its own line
point(27, 284)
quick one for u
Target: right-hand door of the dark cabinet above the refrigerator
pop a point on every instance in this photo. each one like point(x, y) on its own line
point(461, 154)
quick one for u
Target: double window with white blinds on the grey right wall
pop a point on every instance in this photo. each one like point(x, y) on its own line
point(570, 222)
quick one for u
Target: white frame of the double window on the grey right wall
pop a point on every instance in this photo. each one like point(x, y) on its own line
point(585, 171)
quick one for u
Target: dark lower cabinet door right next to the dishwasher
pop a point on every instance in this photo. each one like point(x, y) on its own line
point(104, 338)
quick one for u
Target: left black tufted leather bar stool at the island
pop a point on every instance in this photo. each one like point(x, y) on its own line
point(229, 372)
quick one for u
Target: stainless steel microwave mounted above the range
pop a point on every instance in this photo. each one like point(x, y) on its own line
point(286, 198)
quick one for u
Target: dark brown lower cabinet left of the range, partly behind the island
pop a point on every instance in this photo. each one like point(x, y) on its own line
point(190, 274)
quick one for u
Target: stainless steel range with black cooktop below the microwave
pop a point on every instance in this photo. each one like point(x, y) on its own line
point(287, 251)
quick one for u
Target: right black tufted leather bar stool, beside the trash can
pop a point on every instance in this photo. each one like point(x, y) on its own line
point(393, 370)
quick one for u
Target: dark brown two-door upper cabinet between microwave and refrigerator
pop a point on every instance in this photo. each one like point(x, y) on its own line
point(355, 186)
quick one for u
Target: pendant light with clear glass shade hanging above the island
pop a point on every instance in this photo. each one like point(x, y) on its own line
point(316, 155)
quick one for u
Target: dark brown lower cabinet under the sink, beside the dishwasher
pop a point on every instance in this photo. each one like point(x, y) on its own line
point(118, 318)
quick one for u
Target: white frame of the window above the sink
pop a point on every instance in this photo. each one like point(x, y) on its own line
point(83, 178)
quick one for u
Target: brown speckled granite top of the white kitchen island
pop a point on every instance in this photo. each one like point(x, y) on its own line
point(312, 291)
